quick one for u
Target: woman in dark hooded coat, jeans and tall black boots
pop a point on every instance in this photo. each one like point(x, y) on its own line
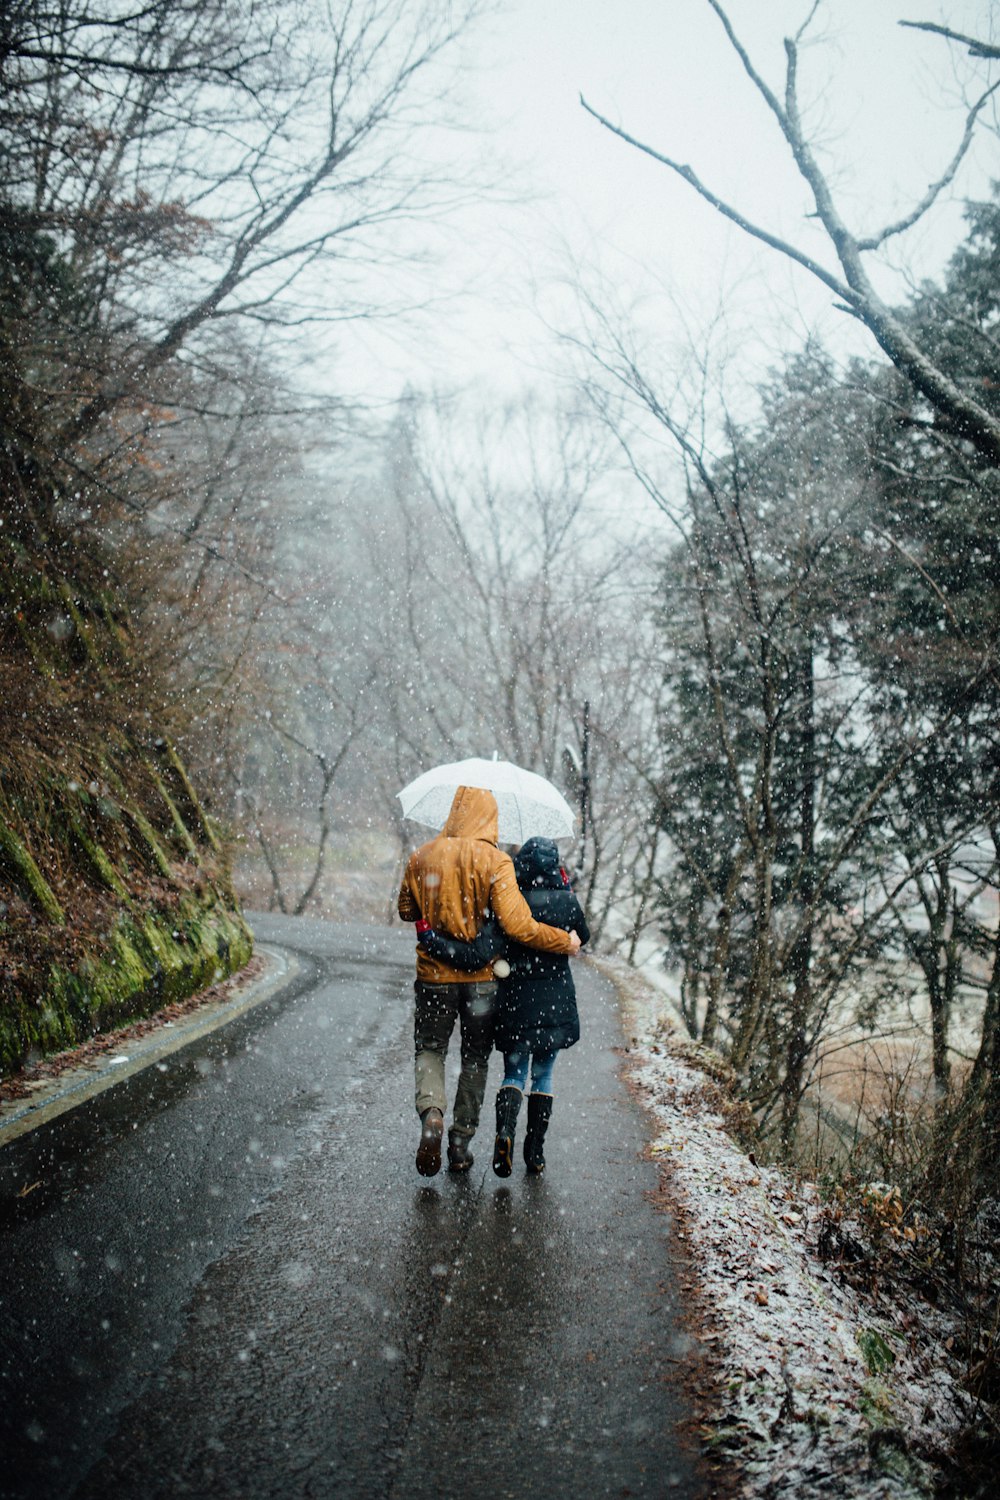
point(536, 1013)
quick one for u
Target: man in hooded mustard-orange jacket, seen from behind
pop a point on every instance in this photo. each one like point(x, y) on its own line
point(452, 883)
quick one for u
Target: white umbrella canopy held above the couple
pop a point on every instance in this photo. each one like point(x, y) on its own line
point(527, 805)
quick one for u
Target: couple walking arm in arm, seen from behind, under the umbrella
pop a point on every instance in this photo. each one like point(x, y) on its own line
point(472, 902)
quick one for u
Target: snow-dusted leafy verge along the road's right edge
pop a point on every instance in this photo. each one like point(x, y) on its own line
point(821, 1388)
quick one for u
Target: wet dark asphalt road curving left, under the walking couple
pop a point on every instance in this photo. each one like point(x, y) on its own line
point(229, 1280)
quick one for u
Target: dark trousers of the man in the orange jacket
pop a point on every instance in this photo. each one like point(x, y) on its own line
point(437, 1010)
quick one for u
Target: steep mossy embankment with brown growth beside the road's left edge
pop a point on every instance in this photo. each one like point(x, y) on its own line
point(116, 895)
